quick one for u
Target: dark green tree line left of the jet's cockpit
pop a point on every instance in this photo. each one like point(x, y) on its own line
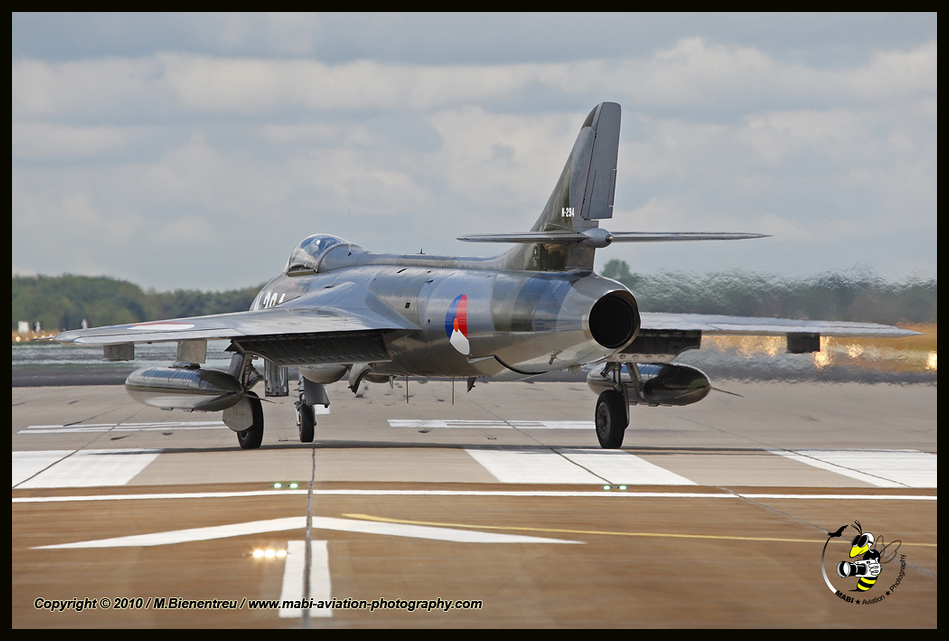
point(63, 302)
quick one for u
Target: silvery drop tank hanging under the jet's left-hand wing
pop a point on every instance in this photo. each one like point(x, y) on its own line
point(184, 388)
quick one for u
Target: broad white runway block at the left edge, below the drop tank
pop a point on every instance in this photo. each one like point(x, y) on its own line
point(82, 468)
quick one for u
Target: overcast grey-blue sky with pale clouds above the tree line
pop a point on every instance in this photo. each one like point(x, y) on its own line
point(195, 151)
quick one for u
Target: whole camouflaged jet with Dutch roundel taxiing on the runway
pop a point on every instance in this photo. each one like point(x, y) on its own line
point(338, 311)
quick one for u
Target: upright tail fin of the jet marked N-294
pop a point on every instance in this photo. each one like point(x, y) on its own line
point(582, 196)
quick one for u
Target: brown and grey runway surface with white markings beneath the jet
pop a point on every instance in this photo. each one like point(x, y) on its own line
point(495, 510)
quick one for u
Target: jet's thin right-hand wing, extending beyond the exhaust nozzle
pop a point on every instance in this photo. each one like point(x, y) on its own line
point(722, 325)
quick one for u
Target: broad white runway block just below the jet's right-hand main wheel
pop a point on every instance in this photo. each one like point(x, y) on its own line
point(574, 466)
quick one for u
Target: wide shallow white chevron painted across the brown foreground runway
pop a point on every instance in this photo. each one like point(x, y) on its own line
point(299, 522)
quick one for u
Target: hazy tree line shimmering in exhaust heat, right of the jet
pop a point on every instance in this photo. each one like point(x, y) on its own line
point(852, 296)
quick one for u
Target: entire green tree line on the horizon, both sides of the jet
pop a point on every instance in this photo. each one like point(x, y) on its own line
point(63, 302)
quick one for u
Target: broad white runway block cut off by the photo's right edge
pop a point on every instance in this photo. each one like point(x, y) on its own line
point(882, 468)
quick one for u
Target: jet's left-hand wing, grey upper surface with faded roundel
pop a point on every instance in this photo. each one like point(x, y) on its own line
point(341, 309)
